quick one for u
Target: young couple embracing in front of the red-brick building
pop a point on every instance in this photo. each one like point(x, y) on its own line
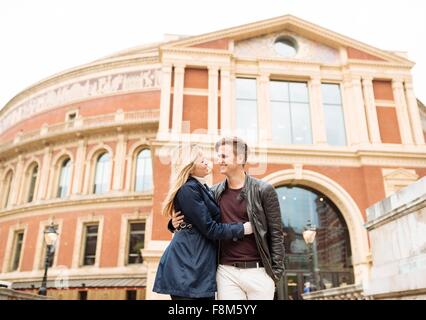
point(242, 212)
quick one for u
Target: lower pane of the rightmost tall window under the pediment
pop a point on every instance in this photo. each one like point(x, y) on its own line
point(335, 125)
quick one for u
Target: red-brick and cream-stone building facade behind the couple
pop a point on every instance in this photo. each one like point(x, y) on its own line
point(331, 122)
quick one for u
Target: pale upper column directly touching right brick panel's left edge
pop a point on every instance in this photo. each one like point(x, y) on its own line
point(370, 107)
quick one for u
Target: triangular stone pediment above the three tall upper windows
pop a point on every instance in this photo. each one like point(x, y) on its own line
point(316, 43)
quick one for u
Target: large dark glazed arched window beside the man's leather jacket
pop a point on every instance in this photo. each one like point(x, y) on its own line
point(328, 262)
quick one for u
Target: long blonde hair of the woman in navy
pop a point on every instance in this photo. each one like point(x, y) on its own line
point(185, 164)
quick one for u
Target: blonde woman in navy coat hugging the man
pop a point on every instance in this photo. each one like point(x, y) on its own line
point(187, 269)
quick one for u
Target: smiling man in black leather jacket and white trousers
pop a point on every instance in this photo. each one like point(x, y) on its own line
point(249, 268)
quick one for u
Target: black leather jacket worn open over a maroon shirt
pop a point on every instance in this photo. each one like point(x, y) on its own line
point(264, 213)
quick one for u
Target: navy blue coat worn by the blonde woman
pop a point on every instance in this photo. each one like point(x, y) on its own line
point(188, 265)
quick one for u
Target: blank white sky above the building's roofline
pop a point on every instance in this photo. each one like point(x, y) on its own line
point(43, 37)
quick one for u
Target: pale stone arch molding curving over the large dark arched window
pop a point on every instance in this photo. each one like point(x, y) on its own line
point(344, 202)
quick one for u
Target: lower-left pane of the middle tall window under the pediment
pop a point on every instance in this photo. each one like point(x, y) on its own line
point(281, 123)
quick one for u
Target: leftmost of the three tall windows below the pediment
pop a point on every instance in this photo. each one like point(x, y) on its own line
point(246, 108)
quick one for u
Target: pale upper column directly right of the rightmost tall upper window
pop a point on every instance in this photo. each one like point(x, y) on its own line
point(359, 111)
